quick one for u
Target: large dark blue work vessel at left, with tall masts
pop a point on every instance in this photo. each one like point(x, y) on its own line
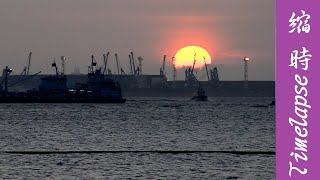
point(53, 89)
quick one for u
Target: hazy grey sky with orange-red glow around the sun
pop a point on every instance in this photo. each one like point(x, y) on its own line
point(227, 29)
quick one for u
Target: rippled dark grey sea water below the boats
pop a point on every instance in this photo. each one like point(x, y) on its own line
point(142, 124)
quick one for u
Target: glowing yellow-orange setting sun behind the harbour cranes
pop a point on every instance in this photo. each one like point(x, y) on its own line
point(185, 57)
